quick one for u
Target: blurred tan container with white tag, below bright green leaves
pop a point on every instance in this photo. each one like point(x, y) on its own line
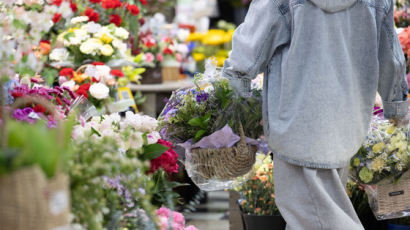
point(29, 201)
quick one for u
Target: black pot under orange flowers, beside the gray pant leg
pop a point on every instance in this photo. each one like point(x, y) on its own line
point(254, 222)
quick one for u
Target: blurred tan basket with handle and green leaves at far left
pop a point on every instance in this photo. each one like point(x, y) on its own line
point(34, 192)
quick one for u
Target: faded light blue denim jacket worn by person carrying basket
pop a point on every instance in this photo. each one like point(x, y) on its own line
point(324, 61)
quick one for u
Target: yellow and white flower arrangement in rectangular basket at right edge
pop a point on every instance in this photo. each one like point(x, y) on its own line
point(382, 160)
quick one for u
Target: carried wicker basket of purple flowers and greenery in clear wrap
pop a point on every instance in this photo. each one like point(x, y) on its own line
point(217, 128)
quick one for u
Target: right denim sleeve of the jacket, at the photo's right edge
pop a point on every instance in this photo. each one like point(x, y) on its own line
point(392, 85)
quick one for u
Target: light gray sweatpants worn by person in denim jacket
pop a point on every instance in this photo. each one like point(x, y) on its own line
point(313, 199)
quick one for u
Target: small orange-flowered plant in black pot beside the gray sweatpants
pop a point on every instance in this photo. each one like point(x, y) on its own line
point(257, 205)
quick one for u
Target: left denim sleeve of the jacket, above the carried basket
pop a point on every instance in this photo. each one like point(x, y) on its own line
point(254, 42)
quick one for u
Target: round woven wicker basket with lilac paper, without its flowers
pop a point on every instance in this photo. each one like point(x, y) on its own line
point(224, 163)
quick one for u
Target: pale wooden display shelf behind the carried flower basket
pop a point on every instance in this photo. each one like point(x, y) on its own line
point(151, 92)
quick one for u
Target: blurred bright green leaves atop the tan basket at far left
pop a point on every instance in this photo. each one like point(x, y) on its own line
point(36, 144)
